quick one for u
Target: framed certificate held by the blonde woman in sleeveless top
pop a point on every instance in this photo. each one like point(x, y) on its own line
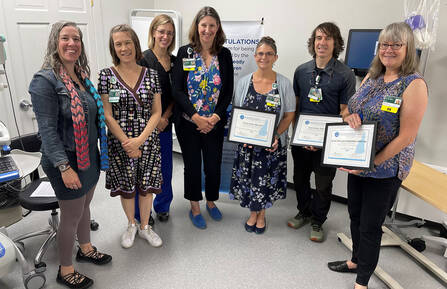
point(349, 148)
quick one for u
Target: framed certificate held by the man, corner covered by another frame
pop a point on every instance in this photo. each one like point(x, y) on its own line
point(309, 129)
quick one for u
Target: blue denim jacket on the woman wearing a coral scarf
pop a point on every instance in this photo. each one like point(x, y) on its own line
point(52, 106)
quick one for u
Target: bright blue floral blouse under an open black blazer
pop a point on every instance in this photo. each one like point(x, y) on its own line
point(204, 85)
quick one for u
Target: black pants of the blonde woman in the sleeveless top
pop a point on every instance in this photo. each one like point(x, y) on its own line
point(369, 200)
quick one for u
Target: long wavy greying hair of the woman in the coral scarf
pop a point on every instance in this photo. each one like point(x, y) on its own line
point(52, 59)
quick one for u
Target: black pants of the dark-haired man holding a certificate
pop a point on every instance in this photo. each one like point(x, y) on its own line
point(314, 203)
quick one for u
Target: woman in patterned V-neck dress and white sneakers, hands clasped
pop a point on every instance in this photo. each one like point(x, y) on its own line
point(132, 108)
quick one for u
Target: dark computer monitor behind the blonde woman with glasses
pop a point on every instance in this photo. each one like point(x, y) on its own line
point(361, 48)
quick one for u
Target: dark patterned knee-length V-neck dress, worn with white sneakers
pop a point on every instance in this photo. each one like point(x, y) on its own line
point(132, 112)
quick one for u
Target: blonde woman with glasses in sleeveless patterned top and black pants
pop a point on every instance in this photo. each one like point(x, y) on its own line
point(395, 96)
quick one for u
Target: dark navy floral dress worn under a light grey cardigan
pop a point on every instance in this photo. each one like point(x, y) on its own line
point(259, 177)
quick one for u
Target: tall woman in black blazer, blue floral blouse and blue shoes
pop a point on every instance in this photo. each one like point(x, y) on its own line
point(203, 87)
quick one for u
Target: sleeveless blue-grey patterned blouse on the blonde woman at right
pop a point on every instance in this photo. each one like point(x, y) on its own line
point(367, 103)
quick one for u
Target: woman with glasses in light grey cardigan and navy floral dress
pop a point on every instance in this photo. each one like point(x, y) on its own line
point(259, 174)
